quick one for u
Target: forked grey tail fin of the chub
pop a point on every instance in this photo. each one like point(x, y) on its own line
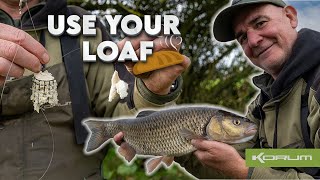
point(98, 134)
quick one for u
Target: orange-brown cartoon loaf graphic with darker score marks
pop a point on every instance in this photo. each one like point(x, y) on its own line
point(158, 60)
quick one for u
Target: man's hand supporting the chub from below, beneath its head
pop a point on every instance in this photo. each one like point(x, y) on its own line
point(221, 157)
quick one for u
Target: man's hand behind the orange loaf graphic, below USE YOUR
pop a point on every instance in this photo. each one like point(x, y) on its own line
point(159, 81)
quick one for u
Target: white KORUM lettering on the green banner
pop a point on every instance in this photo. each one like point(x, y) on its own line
point(262, 157)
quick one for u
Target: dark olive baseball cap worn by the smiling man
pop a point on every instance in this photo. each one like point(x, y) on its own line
point(222, 27)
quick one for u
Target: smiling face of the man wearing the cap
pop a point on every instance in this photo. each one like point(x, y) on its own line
point(267, 34)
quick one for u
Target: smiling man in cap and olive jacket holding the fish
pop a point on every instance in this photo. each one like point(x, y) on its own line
point(287, 108)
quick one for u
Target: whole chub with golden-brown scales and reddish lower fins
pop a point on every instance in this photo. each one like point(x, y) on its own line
point(168, 133)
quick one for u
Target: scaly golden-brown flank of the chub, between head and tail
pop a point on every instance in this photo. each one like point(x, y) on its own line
point(159, 134)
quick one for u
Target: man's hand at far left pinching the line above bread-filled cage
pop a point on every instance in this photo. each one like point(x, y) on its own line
point(18, 46)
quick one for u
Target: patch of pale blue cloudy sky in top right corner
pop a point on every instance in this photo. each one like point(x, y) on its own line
point(308, 13)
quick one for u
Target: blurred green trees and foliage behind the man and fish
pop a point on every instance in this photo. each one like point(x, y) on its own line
point(219, 73)
